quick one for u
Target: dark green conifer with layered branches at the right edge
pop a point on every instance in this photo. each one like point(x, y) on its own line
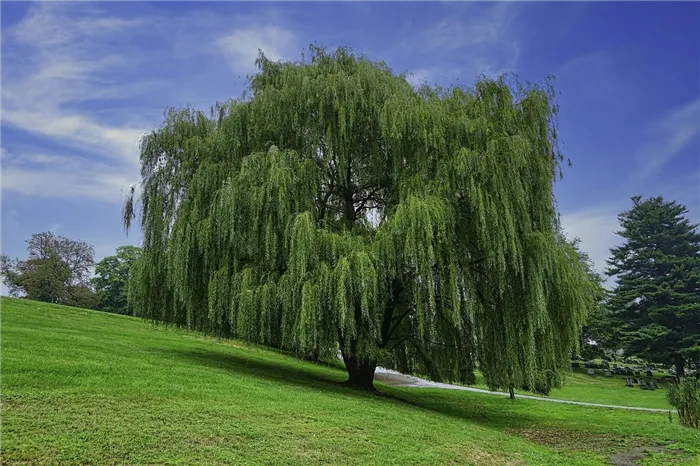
point(657, 298)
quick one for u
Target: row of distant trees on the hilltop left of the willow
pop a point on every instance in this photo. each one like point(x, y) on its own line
point(59, 270)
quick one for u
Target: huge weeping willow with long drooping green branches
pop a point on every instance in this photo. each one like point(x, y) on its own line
point(336, 207)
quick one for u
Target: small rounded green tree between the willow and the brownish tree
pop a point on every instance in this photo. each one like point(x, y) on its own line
point(111, 279)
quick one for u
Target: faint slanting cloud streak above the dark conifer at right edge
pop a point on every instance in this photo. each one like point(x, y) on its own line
point(668, 137)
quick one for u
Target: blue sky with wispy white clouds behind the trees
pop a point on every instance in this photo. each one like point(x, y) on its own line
point(82, 81)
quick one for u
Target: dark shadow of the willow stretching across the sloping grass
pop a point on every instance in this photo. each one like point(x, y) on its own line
point(331, 379)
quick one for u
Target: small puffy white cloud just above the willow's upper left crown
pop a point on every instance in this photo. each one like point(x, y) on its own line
point(241, 45)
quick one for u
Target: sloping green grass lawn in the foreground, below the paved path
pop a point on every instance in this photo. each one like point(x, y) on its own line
point(83, 387)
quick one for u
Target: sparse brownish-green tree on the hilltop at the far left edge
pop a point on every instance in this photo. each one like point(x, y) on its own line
point(56, 271)
